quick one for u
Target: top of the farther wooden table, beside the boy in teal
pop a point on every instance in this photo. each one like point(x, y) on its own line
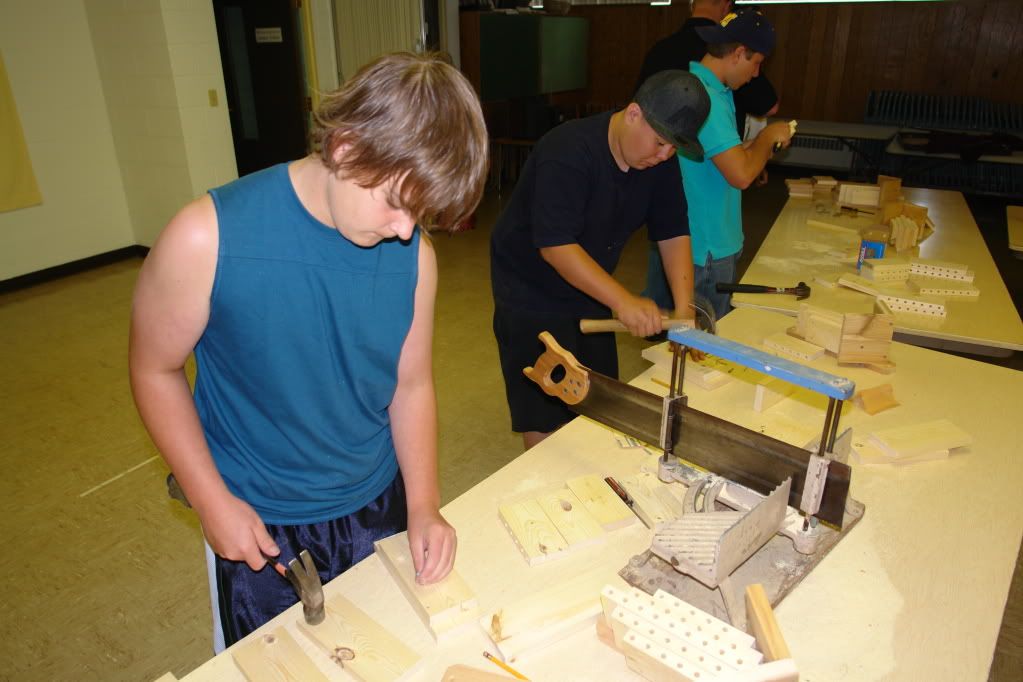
point(795, 251)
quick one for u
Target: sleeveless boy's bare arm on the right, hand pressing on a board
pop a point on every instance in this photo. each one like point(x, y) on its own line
point(414, 425)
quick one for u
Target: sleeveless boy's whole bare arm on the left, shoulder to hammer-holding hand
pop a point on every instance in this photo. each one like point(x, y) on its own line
point(170, 311)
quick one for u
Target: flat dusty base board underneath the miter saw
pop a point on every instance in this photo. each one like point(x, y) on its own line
point(777, 566)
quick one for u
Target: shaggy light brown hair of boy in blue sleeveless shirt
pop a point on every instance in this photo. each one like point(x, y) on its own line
point(415, 119)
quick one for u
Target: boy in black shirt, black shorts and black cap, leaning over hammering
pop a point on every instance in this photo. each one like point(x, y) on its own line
point(587, 188)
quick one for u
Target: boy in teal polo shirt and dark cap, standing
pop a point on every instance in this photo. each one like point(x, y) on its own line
point(736, 50)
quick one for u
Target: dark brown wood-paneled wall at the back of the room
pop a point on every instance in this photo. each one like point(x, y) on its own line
point(830, 58)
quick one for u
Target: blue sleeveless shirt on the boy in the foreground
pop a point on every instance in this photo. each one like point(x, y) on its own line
point(299, 361)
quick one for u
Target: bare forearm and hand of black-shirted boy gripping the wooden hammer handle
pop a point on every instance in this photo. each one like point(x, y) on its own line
point(642, 316)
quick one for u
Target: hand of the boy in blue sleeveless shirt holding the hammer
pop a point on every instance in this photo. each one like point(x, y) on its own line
point(237, 533)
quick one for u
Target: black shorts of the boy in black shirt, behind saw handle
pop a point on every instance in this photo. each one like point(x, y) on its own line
point(519, 347)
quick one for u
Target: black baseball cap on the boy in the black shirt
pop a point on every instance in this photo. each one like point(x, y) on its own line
point(676, 105)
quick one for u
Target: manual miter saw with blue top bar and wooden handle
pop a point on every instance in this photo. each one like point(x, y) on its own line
point(755, 509)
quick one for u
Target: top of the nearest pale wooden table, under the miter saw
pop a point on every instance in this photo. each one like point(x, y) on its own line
point(915, 592)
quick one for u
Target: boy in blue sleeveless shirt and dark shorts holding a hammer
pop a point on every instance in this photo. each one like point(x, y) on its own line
point(306, 292)
